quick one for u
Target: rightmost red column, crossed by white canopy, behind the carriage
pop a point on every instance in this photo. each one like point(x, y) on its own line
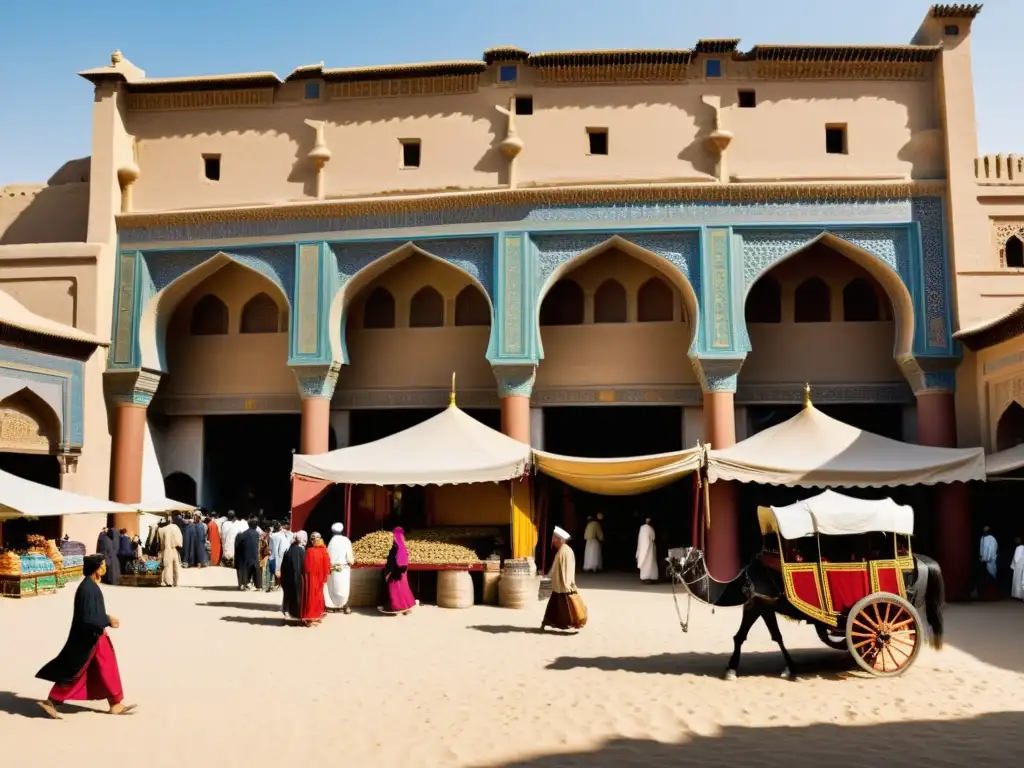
point(937, 428)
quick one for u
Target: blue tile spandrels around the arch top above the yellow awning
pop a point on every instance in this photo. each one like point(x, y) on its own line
point(679, 248)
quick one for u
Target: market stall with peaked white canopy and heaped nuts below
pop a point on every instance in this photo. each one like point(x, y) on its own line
point(449, 450)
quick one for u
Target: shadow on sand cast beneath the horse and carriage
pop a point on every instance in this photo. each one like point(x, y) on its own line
point(828, 665)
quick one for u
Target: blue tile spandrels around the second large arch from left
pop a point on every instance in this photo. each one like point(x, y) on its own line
point(473, 255)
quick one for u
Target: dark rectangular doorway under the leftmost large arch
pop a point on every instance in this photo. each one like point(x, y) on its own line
point(249, 462)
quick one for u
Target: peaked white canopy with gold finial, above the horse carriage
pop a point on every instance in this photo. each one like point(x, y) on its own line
point(815, 450)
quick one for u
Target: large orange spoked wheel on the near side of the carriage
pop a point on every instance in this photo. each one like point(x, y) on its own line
point(883, 634)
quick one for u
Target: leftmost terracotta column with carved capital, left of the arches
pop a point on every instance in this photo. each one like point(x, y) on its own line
point(131, 393)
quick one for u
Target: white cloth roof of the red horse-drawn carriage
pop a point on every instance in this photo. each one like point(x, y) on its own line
point(835, 515)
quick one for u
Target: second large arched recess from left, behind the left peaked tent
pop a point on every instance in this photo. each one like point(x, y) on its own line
point(410, 321)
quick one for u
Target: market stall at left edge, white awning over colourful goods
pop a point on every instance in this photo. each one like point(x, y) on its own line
point(41, 567)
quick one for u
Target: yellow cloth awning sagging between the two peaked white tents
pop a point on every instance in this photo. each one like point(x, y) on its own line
point(628, 477)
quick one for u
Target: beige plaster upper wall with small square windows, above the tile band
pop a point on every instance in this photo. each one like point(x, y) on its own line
point(656, 134)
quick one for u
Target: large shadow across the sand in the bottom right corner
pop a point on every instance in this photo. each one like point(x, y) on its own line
point(989, 740)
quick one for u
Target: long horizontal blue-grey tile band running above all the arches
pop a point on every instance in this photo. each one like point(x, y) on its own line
point(638, 212)
